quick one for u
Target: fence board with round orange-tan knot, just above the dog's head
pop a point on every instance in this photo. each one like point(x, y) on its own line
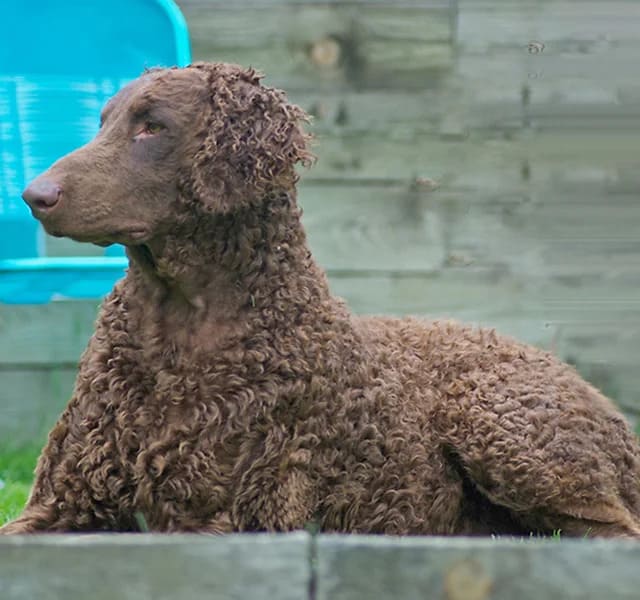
point(311, 45)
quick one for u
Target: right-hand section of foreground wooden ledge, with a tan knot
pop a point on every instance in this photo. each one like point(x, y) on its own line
point(356, 568)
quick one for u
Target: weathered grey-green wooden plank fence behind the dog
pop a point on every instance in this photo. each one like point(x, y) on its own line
point(476, 160)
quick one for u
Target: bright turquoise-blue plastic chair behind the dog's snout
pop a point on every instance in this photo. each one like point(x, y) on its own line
point(60, 61)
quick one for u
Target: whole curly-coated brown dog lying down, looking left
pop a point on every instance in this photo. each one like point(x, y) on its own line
point(225, 389)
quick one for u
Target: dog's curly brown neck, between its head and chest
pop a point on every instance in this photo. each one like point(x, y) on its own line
point(225, 265)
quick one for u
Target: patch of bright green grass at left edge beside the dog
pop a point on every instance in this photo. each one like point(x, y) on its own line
point(16, 476)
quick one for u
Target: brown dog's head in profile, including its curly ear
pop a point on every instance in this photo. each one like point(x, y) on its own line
point(173, 144)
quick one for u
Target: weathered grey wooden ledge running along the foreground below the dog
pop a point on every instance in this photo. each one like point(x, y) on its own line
point(283, 567)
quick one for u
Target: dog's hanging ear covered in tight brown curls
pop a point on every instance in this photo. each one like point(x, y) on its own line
point(253, 138)
